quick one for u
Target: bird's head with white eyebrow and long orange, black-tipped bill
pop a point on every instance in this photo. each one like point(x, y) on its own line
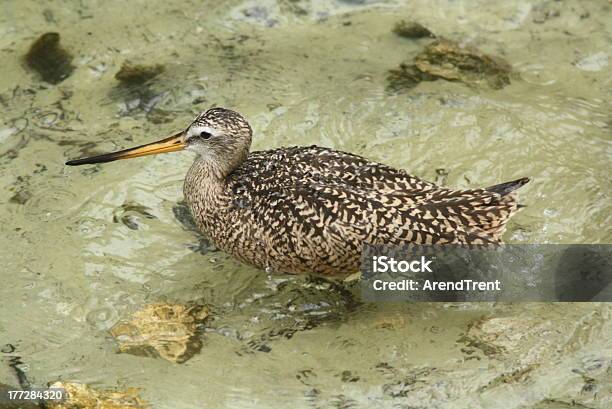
point(219, 136)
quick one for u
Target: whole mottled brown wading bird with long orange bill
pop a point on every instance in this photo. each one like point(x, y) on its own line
point(311, 209)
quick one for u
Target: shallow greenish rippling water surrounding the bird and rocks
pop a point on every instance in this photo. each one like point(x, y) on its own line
point(76, 257)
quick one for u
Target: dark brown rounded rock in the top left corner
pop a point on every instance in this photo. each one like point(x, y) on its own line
point(47, 57)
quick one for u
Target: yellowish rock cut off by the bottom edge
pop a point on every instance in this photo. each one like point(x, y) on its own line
point(81, 396)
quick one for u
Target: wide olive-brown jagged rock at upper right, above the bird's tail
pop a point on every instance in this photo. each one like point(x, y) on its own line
point(448, 60)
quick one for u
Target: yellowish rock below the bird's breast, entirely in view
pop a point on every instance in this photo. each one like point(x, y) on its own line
point(169, 331)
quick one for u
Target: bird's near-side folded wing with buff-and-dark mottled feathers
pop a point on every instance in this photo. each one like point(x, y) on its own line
point(333, 216)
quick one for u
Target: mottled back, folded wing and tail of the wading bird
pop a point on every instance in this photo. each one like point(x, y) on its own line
point(340, 196)
